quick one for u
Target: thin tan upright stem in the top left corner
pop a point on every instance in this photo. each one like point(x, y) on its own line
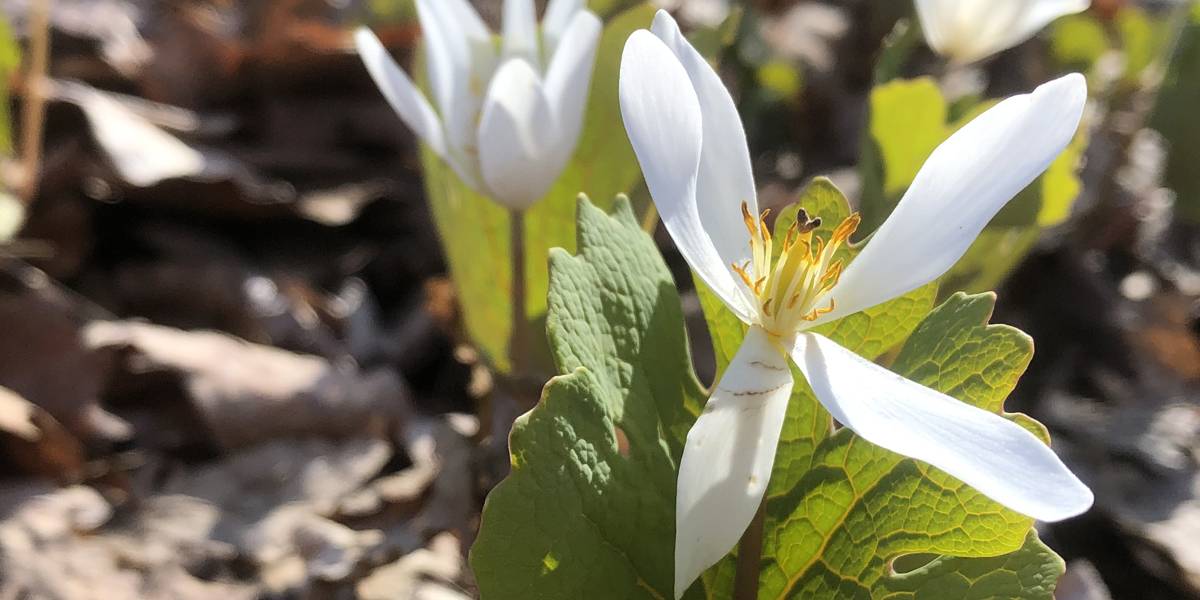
point(34, 113)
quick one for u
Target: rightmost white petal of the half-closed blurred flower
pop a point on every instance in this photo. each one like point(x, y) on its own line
point(569, 77)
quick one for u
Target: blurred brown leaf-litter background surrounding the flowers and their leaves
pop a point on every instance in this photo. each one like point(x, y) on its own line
point(232, 364)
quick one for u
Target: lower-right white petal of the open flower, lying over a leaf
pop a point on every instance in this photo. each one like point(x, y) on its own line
point(985, 451)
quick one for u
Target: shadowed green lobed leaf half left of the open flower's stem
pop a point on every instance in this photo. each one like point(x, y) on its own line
point(589, 511)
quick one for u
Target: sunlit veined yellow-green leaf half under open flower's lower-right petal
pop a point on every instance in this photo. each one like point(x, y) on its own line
point(859, 507)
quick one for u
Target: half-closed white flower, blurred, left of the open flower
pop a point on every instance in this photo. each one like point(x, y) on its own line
point(509, 118)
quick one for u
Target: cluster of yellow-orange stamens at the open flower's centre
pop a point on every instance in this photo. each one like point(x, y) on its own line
point(793, 287)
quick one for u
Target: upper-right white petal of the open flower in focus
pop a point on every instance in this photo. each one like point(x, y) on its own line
point(961, 188)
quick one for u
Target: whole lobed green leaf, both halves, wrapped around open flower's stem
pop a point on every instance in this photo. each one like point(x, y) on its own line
point(587, 511)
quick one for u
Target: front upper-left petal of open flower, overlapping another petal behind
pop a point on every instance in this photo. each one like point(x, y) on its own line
point(664, 123)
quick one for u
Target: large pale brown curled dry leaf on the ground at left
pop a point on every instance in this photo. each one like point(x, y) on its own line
point(248, 393)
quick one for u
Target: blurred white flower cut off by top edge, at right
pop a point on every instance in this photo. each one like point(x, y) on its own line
point(970, 31)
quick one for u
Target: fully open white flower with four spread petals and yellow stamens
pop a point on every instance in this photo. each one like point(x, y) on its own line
point(689, 141)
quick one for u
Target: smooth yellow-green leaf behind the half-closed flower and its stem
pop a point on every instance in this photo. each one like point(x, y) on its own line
point(476, 230)
